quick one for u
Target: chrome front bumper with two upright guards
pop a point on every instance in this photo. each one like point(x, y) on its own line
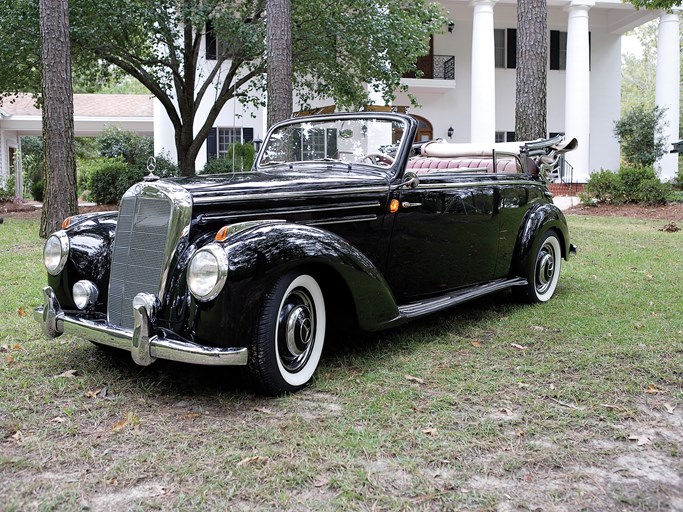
point(143, 346)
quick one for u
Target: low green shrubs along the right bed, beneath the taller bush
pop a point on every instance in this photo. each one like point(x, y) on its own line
point(629, 185)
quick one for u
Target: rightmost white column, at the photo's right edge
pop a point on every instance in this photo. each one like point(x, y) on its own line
point(667, 92)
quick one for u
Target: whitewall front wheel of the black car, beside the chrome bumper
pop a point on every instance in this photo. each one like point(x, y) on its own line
point(289, 336)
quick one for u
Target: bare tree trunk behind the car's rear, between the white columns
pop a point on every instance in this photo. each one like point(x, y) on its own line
point(532, 56)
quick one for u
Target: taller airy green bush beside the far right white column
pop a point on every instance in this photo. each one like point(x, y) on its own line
point(639, 132)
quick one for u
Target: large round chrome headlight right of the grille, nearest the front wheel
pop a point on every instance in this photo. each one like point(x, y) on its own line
point(207, 272)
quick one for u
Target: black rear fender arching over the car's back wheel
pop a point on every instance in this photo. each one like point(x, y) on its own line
point(539, 219)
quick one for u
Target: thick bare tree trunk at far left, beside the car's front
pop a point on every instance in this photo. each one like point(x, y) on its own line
point(59, 164)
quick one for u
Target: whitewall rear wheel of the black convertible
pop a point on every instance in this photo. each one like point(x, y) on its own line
point(543, 269)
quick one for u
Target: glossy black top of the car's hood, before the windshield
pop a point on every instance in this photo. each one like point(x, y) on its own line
point(283, 182)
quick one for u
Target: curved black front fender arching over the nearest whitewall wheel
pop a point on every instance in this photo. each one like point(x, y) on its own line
point(259, 255)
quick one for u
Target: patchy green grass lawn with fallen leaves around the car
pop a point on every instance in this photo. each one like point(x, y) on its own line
point(575, 404)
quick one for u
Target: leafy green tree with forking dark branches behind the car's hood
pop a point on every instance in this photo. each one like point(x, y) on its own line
point(160, 44)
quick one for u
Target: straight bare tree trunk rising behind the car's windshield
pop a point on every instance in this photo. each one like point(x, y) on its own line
point(279, 41)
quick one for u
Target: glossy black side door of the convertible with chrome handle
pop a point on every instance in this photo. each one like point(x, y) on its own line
point(445, 235)
